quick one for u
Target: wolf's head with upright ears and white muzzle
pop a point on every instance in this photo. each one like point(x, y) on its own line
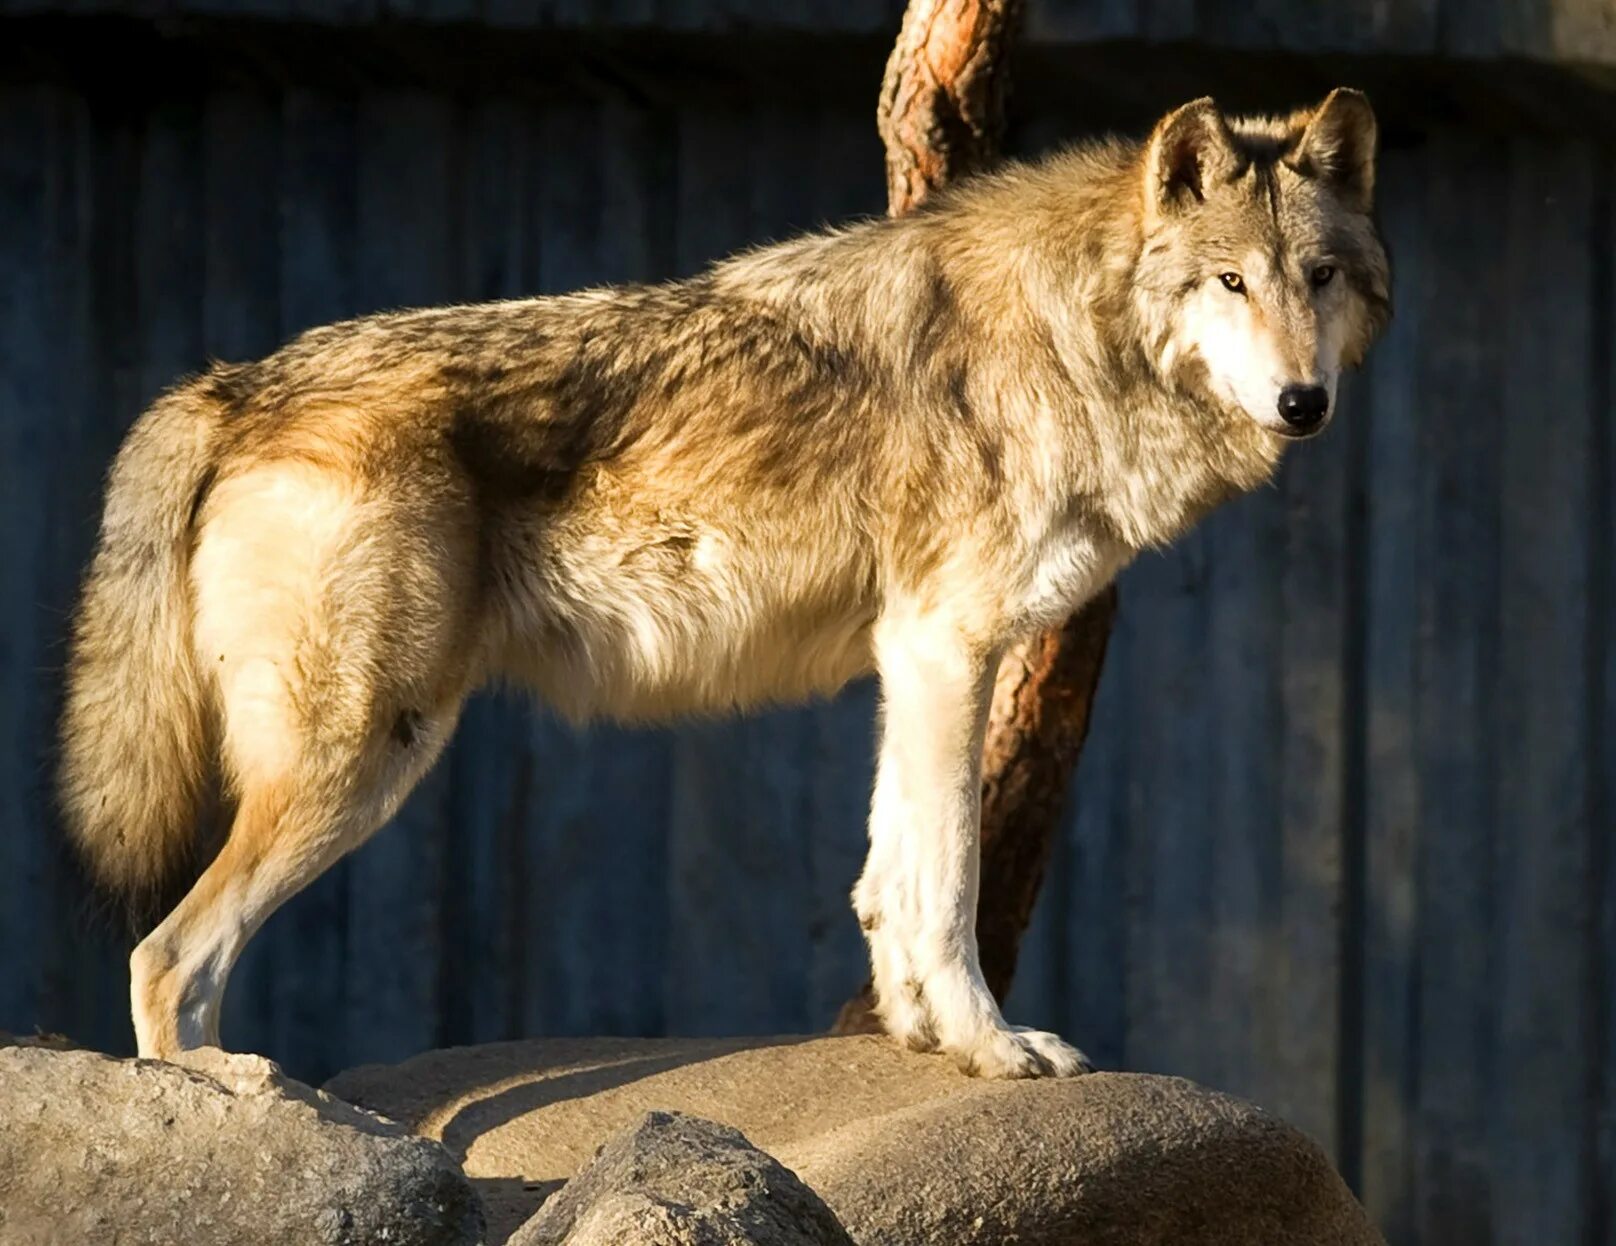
point(1263, 276)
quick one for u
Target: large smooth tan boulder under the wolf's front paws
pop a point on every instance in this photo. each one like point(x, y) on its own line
point(903, 1148)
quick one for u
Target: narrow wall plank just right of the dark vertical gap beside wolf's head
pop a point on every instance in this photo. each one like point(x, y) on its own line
point(1392, 777)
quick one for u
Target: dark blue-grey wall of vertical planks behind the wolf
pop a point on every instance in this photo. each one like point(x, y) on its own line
point(1342, 838)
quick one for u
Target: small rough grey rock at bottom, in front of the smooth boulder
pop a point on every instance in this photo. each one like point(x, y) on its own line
point(676, 1181)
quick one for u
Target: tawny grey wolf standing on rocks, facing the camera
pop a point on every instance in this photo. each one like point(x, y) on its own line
point(894, 447)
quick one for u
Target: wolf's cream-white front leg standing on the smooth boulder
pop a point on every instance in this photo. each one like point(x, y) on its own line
point(917, 898)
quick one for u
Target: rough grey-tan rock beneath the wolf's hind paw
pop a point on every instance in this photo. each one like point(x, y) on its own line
point(222, 1151)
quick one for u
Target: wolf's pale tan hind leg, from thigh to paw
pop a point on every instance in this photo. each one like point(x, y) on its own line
point(339, 650)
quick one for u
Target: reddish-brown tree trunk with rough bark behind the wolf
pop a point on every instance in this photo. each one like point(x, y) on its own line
point(941, 117)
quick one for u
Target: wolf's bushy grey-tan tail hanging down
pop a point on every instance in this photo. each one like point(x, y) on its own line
point(135, 728)
